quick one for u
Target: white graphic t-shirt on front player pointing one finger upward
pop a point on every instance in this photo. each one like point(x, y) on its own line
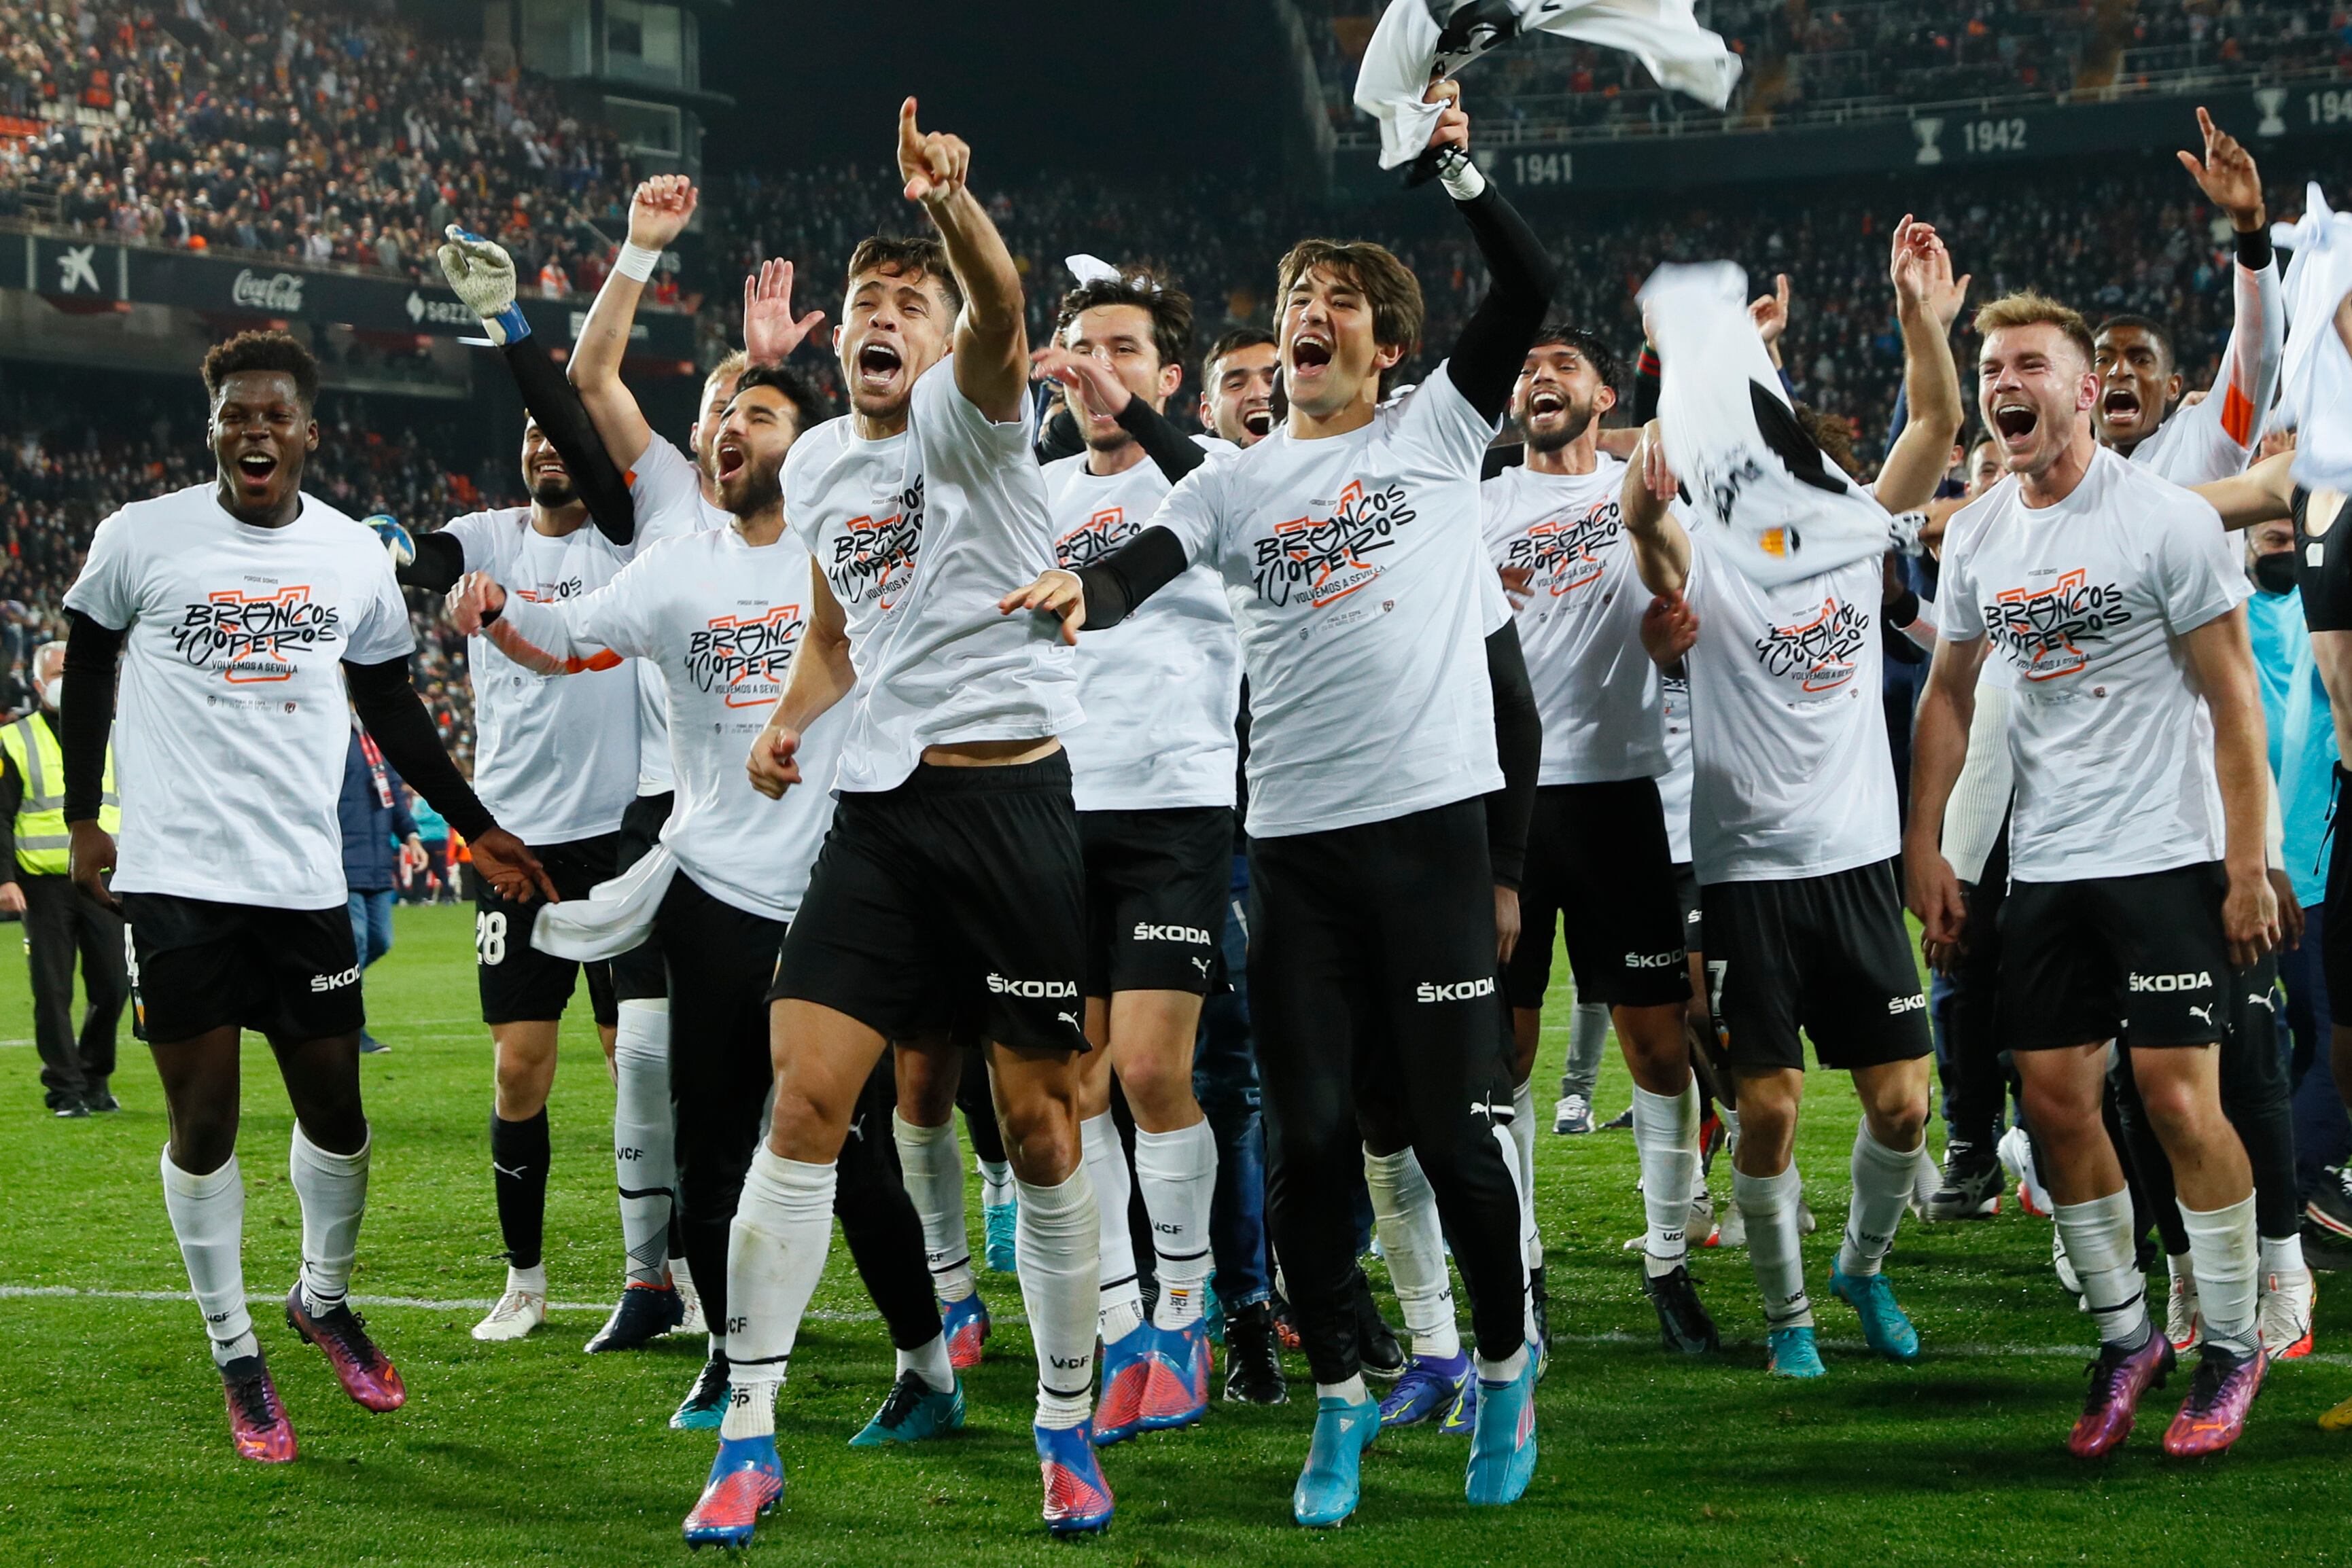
point(918, 537)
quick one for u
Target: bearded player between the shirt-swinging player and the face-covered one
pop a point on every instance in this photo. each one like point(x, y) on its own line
point(1601, 859)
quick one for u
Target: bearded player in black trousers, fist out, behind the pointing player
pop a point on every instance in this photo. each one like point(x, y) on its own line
point(721, 612)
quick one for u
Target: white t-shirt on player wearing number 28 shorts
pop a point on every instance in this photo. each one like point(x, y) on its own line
point(556, 756)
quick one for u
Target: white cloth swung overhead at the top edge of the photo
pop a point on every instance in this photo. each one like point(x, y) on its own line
point(1410, 48)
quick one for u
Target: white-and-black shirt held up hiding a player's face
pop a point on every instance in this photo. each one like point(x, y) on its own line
point(1735, 443)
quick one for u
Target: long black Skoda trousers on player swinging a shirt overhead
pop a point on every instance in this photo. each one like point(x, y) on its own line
point(1372, 963)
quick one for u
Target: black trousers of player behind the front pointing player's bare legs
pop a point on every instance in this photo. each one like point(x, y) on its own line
point(721, 965)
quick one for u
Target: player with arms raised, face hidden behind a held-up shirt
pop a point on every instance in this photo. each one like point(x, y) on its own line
point(1793, 838)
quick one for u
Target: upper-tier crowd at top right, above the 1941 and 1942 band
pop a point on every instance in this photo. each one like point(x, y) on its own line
point(1810, 53)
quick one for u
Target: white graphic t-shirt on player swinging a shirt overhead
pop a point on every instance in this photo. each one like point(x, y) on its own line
point(1358, 584)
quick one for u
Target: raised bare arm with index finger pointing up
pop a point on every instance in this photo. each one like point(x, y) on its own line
point(991, 335)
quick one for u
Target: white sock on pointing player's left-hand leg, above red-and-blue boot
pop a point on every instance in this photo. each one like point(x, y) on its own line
point(775, 1257)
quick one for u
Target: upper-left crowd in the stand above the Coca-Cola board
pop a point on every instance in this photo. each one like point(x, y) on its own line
point(328, 135)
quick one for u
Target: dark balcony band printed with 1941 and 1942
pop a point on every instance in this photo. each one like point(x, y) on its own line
point(1537, 121)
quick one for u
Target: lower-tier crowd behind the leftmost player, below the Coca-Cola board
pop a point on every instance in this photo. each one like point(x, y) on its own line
point(83, 445)
